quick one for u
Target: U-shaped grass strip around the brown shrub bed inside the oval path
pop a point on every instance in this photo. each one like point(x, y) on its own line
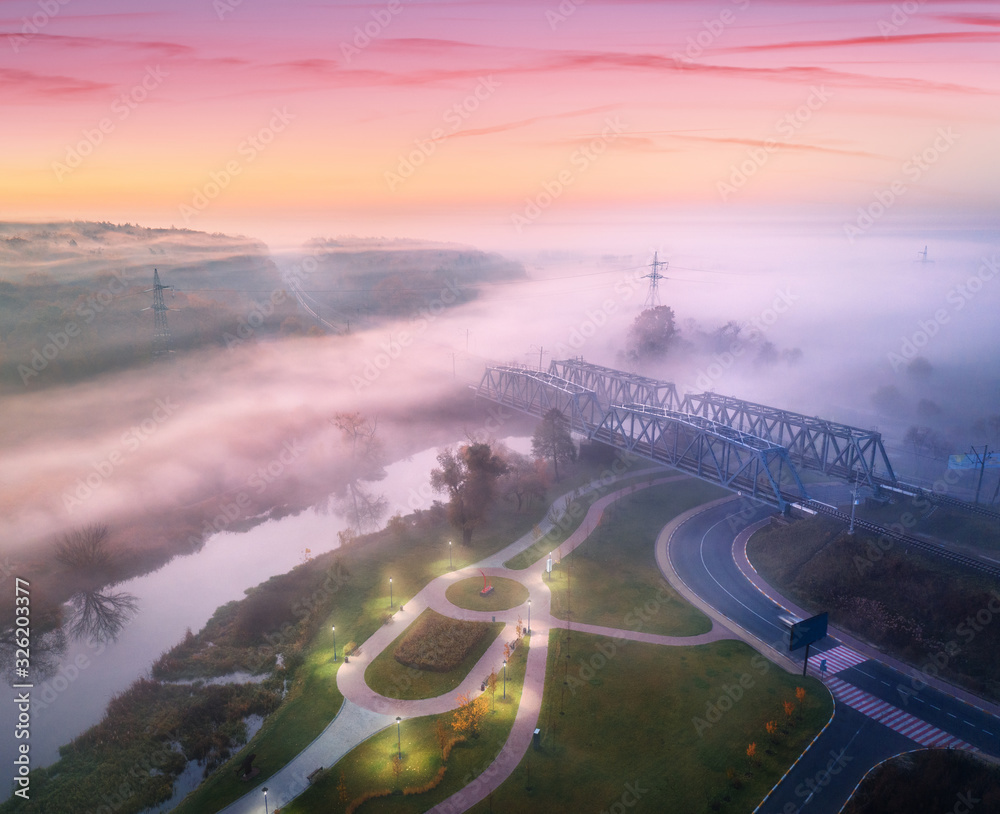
point(388, 677)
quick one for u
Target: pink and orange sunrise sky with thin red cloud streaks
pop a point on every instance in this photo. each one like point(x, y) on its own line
point(506, 123)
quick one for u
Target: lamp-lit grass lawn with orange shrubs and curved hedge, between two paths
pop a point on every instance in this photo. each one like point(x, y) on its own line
point(368, 767)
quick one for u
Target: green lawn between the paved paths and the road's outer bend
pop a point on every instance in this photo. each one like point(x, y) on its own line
point(612, 578)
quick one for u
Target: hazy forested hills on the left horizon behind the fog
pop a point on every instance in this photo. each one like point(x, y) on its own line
point(72, 295)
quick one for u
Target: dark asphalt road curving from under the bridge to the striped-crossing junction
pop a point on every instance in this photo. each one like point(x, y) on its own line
point(880, 711)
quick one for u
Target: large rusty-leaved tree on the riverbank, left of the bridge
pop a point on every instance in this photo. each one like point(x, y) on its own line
point(469, 476)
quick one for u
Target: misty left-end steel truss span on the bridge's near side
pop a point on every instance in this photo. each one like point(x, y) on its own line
point(536, 393)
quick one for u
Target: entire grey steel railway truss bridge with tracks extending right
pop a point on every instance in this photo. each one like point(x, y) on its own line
point(749, 448)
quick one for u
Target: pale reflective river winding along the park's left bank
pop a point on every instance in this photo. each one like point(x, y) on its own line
point(183, 594)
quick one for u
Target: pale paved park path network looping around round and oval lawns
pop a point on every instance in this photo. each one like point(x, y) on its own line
point(366, 712)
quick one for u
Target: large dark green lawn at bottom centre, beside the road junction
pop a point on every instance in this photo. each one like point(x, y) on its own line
point(628, 725)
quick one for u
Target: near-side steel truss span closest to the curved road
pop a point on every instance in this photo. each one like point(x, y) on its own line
point(706, 449)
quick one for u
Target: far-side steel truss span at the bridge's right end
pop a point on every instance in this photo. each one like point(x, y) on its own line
point(812, 443)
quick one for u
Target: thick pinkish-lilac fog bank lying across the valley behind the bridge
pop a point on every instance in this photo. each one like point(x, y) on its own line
point(866, 334)
